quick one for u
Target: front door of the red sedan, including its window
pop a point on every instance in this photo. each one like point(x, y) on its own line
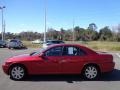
point(51, 63)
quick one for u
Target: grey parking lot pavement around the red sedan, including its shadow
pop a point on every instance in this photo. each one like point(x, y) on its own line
point(61, 82)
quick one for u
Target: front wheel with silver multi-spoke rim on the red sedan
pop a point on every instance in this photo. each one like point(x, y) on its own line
point(17, 72)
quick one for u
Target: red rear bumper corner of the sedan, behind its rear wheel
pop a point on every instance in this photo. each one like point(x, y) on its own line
point(107, 67)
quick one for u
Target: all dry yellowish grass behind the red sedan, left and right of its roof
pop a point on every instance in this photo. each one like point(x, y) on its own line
point(96, 45)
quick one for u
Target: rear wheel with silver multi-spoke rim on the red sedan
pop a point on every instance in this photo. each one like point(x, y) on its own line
point(91, 72)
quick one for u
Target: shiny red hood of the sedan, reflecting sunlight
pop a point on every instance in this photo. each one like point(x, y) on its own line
point(24, 57)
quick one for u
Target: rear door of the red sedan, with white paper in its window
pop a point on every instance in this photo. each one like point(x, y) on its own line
point(72, 60)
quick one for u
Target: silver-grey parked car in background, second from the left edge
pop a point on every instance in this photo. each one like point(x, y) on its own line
point(15, 44)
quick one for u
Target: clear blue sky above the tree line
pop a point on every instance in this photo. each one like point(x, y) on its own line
point(28, 15)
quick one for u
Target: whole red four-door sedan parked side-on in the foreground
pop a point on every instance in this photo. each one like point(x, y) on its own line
point(60, 59)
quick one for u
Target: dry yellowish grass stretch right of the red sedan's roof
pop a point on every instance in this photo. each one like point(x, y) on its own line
point(101, 45)
